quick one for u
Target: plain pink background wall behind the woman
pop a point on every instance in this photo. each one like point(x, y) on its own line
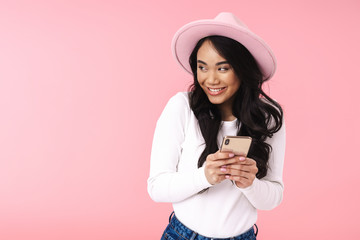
point(82, 84)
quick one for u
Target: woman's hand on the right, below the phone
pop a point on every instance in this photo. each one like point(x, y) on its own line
point(242, 172)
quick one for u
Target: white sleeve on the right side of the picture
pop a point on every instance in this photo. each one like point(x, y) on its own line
point(267, 193)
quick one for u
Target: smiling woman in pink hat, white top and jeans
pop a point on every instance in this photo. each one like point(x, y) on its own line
point(216, 194)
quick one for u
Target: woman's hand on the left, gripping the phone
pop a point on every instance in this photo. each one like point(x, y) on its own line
point(215, 165)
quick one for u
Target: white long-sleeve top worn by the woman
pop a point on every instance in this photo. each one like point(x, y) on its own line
point(225, 210)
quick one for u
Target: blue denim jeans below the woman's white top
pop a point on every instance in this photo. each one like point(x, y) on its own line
point(178, 231)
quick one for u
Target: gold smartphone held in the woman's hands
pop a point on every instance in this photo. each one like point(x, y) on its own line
point(239, 145)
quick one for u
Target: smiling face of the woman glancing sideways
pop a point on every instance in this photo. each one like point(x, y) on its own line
point(216, 77)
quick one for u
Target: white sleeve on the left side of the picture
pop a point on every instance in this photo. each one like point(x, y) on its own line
point(165, 184)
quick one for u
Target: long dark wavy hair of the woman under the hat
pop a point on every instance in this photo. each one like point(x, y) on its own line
point(260, 116)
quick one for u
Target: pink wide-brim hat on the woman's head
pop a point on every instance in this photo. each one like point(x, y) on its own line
point(227, 25)
